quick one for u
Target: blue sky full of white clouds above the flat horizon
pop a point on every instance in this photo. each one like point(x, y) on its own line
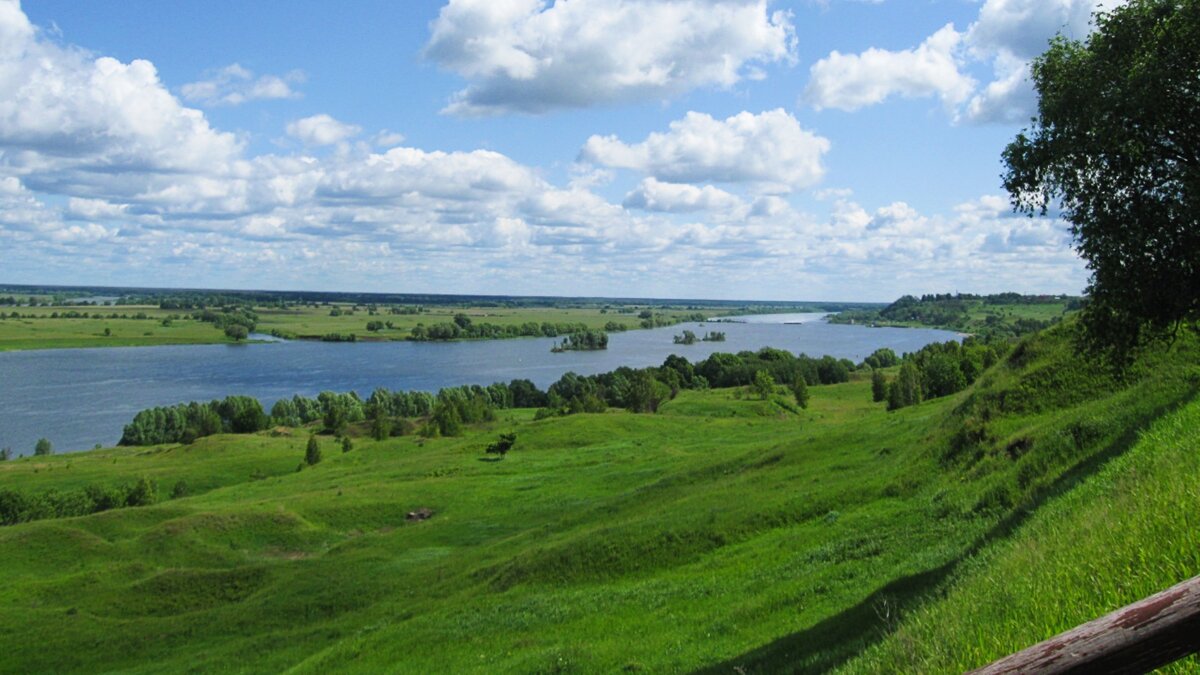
point(788, 150)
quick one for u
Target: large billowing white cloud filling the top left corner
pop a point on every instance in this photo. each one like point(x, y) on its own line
point(62, 109)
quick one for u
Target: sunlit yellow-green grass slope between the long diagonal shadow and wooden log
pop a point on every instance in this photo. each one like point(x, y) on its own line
point(1130, 533)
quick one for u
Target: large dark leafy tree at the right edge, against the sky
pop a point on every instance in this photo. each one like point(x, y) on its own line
point(1115, 146)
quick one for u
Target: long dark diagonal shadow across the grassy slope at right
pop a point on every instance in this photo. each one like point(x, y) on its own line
point(837, 640)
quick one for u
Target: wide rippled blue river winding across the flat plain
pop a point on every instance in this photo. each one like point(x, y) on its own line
point(79, 398)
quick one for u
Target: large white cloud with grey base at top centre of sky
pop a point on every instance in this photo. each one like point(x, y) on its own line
point(533, 57)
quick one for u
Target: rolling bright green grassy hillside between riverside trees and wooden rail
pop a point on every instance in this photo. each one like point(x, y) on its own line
point(724, 533)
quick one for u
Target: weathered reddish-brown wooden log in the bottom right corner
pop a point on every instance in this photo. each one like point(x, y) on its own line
point(1137, 638)
